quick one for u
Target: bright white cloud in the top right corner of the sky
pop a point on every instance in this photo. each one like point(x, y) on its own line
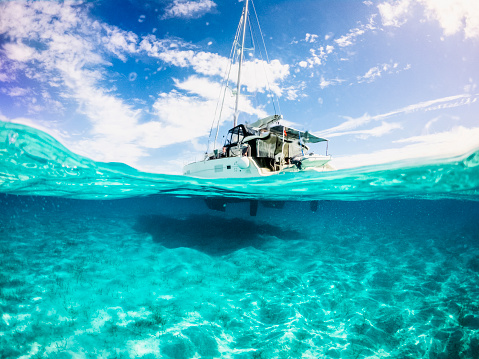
point(453, 16)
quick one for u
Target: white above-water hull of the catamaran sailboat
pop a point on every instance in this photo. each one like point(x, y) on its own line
point(245, 167)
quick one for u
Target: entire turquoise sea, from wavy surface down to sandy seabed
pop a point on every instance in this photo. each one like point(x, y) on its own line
point(98, 260)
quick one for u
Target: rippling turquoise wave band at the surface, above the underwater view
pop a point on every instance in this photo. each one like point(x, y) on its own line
point(34, 163)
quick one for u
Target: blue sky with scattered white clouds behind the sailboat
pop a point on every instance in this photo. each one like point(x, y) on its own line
point(138, 82)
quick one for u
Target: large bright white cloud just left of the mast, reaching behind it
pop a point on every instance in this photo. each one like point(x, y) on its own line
point(181, 115)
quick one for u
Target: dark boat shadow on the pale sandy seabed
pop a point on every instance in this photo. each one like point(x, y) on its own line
point(213, 235)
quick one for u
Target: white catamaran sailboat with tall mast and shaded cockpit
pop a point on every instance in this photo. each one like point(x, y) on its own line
point(263, 148)
